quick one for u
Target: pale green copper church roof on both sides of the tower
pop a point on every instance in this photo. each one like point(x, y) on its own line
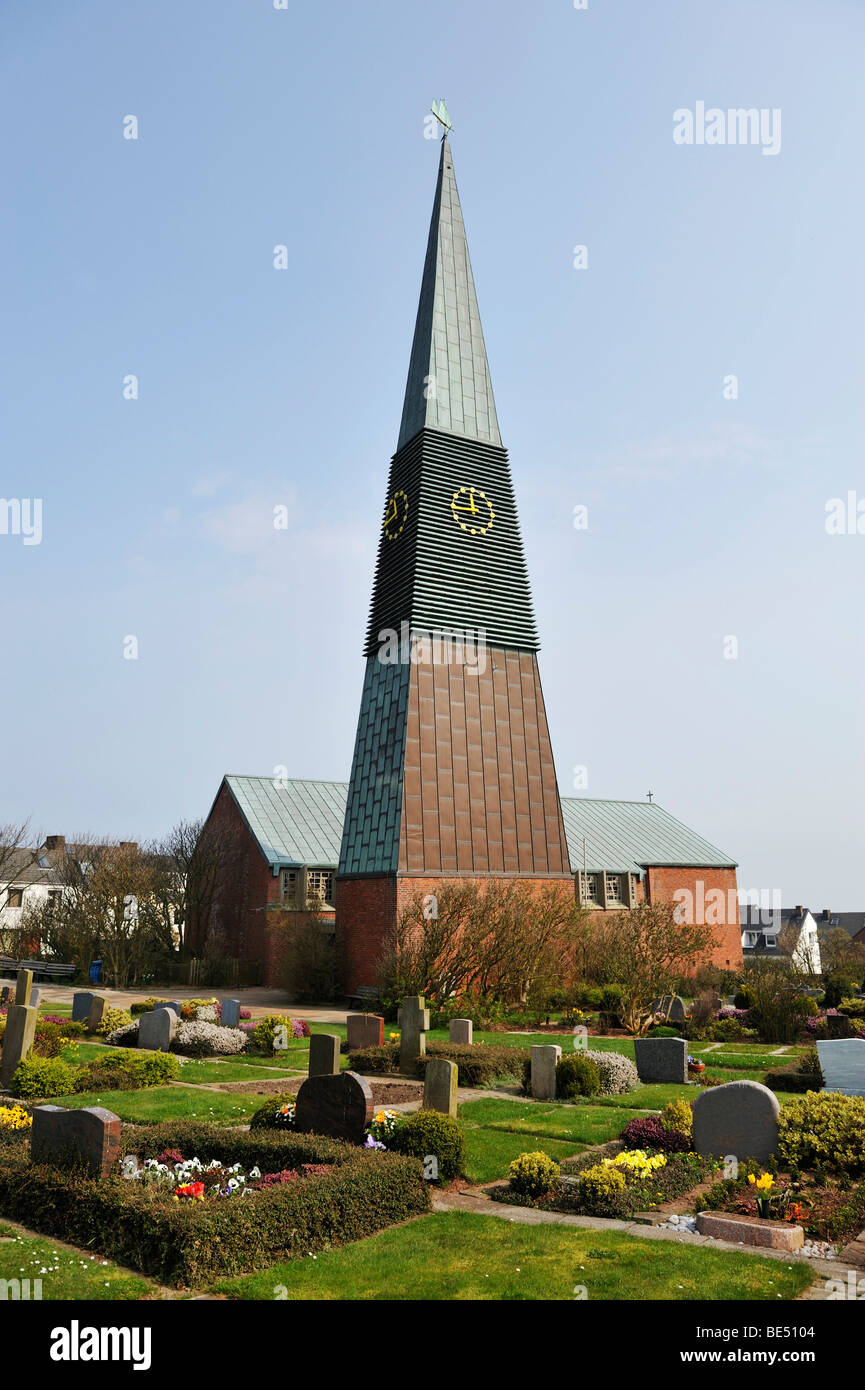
point(301, 824)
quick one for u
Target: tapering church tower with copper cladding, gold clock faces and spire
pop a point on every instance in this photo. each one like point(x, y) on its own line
point(453, 775)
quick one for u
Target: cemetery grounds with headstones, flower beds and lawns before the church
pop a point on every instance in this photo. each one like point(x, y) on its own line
point(202, 1166)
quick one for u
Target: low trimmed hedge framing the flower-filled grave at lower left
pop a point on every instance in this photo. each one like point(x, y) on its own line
point(191, 1245)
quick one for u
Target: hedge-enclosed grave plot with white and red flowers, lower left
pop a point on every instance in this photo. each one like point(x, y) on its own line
point(191, 1203)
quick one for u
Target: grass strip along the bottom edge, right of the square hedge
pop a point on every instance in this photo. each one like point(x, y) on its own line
point(460, 1256)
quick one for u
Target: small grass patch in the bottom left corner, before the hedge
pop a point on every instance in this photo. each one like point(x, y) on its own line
point(65, 1273)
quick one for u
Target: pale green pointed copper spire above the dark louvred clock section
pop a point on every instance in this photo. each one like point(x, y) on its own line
point(448, 386)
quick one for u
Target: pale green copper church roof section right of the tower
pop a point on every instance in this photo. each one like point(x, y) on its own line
point(629, 836)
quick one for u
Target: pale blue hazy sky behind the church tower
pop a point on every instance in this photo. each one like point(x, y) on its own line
point(305, 127)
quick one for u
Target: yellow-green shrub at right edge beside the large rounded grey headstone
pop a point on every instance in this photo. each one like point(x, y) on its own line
point(825, 1129)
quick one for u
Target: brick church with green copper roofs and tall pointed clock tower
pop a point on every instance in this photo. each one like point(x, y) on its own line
point(453, 774)
